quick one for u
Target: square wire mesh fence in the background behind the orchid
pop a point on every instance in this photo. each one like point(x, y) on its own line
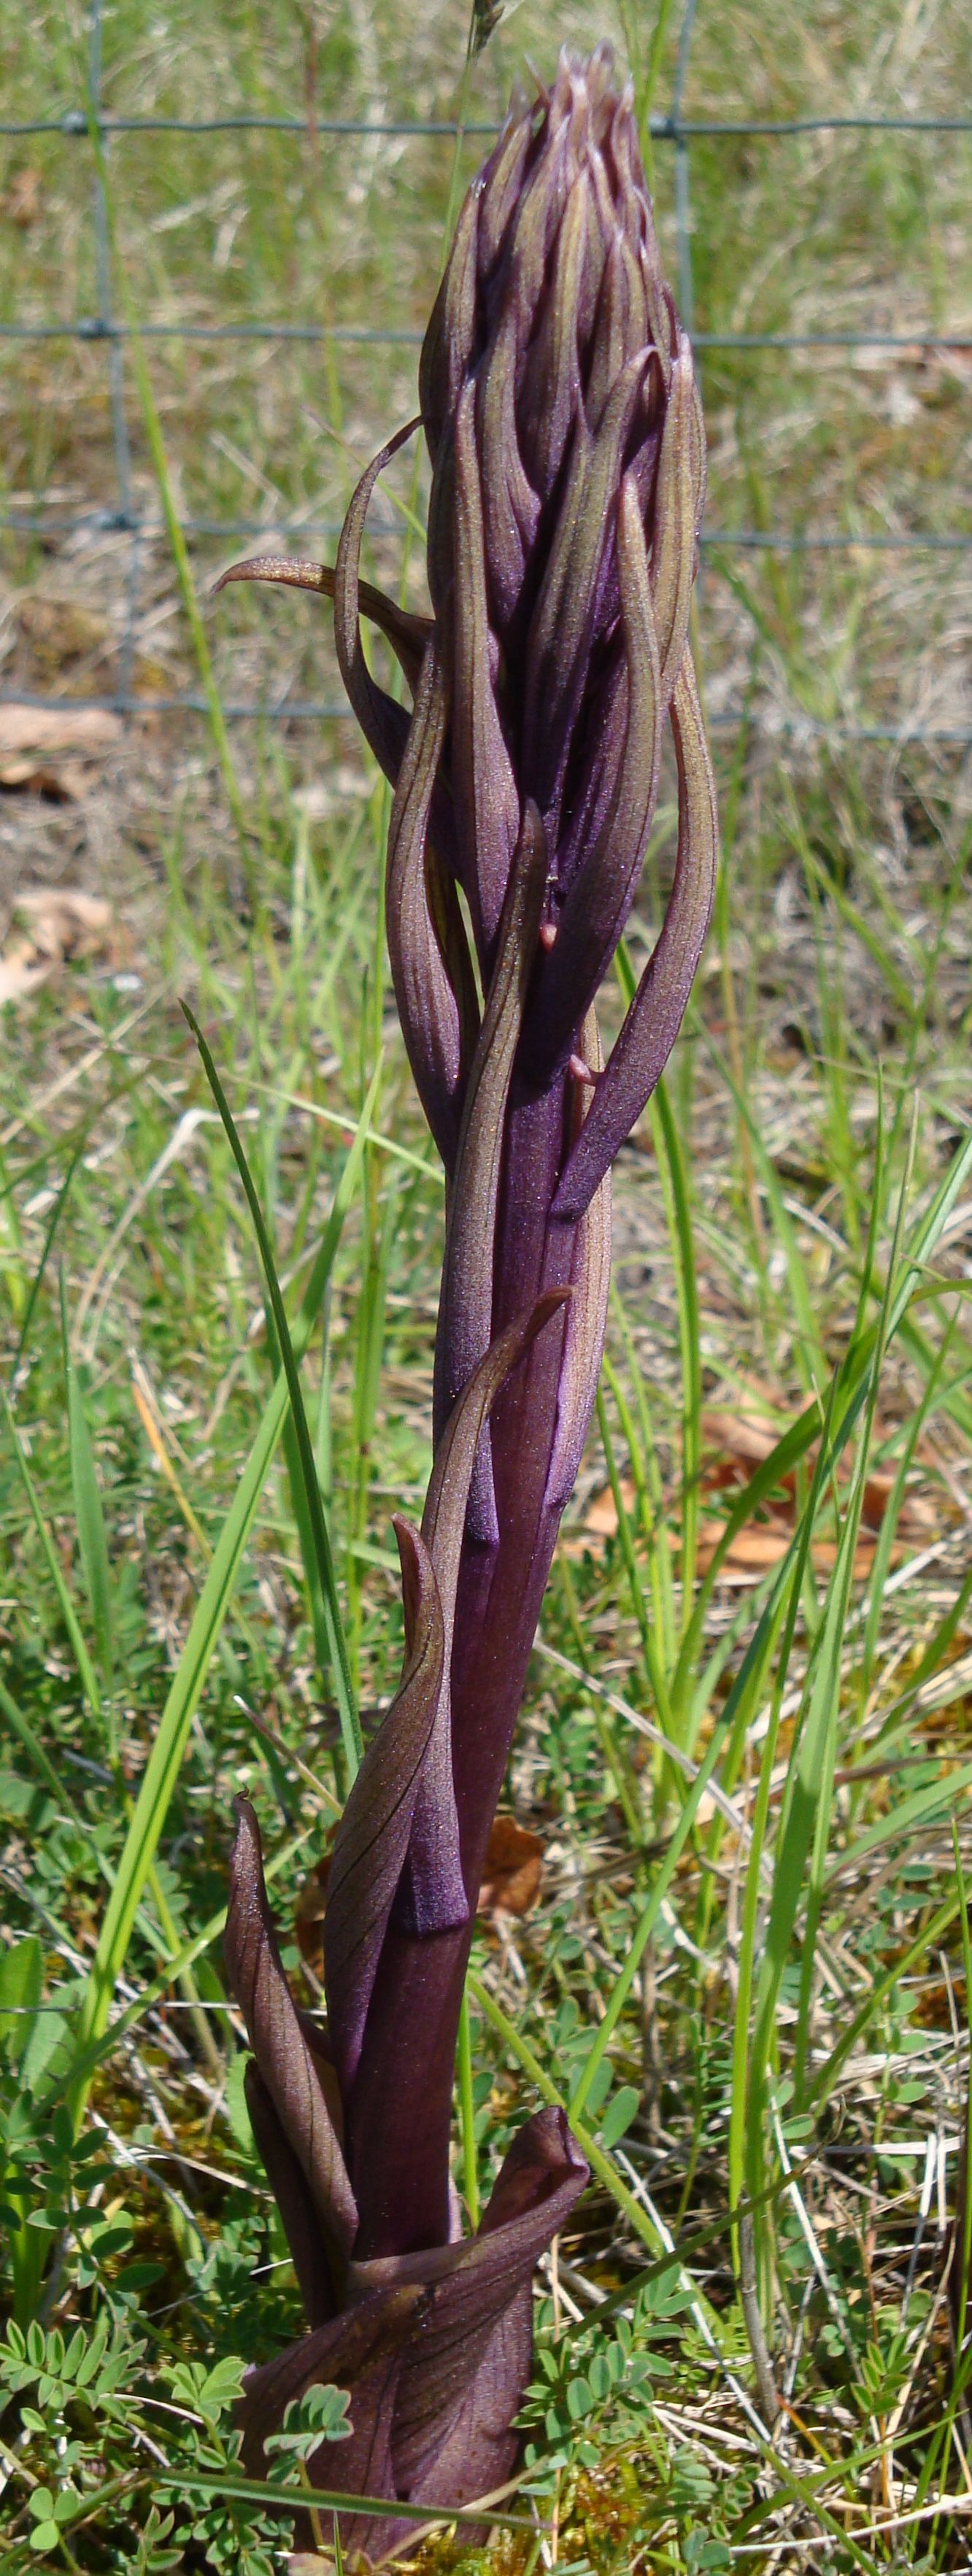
point(133, 516)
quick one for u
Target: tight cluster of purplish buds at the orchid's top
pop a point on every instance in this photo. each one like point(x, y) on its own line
point(569, 480)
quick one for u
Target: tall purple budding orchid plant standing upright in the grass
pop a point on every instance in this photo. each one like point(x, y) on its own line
point(566, 444)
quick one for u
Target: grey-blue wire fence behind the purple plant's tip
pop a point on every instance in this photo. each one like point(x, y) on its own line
point(79, 125)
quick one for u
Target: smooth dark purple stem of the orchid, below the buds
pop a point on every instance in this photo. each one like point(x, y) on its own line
point(398, 2114)
